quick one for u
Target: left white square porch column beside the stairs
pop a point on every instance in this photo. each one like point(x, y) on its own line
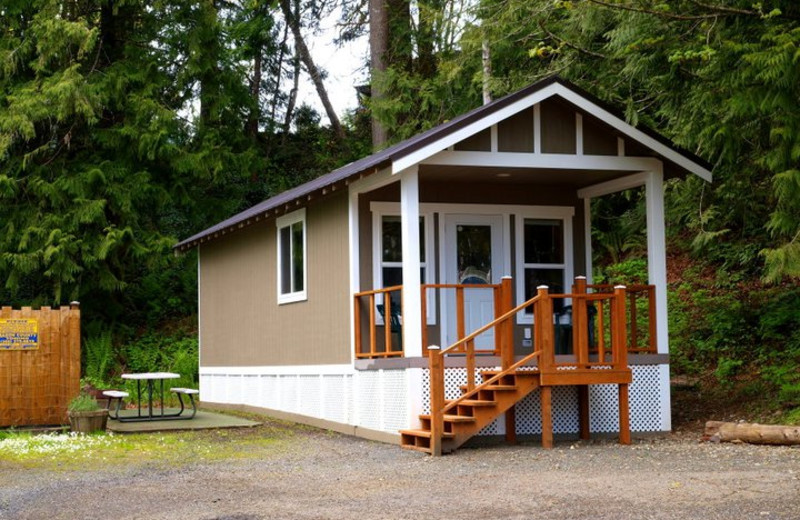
point(412, 299)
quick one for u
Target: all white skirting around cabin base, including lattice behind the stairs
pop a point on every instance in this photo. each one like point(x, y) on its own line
point(389, 400)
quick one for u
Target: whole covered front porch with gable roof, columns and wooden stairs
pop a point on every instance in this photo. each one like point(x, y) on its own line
point(464, 255)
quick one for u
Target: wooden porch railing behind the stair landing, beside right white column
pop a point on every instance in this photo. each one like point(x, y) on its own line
point(641, 315)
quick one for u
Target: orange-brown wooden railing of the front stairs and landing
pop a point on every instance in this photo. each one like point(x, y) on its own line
point(543, 347)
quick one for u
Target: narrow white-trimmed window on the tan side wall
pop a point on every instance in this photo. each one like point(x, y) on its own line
point(292, 257)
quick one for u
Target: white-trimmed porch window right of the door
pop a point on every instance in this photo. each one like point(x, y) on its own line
point(544, 257)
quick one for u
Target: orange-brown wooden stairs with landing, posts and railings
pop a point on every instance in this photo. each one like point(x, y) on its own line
point(452, 423)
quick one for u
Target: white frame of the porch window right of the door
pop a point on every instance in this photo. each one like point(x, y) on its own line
point(563, 213)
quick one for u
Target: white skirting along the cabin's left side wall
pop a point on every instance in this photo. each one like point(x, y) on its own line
point(375, 399)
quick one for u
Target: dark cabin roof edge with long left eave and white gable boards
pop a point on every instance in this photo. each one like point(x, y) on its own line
point(431, 147)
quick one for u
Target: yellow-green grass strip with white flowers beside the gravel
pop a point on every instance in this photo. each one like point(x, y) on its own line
point(70, 451)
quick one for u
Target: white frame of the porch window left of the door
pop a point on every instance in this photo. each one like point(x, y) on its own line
point(392, 209)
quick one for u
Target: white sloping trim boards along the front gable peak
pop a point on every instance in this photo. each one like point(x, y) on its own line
point(427, 152)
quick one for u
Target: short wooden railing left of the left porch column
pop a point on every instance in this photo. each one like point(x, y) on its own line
point(375, 349)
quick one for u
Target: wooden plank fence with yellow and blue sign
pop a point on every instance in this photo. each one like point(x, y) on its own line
point(38, 378)
